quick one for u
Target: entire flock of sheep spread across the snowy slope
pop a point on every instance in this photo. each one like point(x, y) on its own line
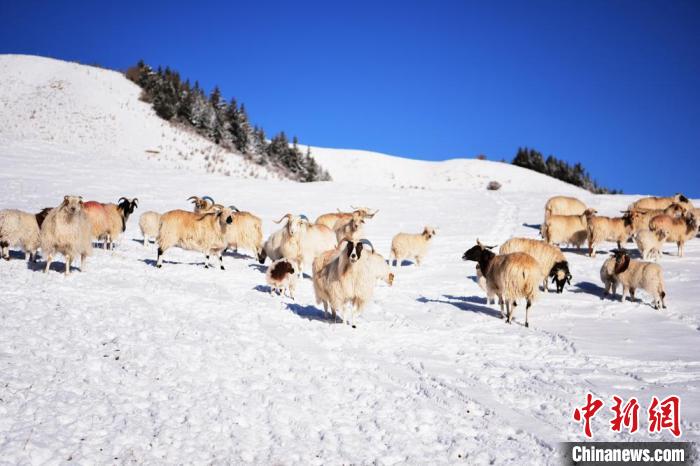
point(345, 267)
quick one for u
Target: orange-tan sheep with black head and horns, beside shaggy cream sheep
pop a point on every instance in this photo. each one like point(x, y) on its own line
point(108, 221)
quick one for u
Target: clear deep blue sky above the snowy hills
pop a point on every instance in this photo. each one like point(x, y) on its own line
point(613, 84)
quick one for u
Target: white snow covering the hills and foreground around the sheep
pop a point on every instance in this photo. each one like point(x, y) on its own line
point(128, 363)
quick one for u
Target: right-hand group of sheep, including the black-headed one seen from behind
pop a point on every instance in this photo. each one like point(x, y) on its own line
point(523, 264)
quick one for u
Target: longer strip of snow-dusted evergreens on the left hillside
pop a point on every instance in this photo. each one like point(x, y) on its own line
point(223, 122)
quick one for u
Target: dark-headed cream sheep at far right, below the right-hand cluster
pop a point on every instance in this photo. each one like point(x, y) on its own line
point(634, 274)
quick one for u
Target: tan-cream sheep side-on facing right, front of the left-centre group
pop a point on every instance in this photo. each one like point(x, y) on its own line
point(205, 233)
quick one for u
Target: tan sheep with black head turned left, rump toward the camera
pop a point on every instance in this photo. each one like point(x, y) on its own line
point(509, 276)
